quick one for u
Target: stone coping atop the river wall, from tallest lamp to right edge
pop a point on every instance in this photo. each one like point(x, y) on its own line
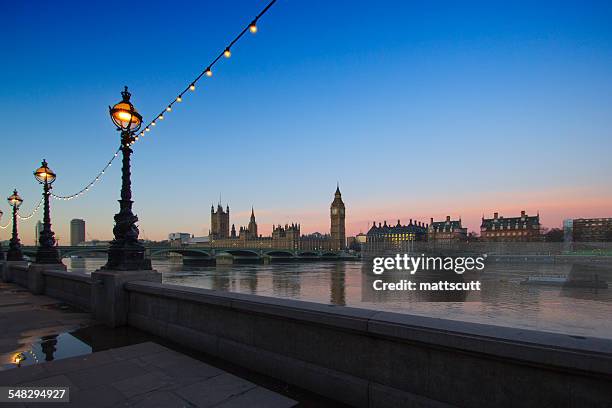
point(529, 346)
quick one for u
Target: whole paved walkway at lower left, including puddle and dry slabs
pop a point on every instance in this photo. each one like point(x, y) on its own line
point(139, 375)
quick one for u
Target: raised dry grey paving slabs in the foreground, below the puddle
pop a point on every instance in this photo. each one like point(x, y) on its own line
point(143, 375)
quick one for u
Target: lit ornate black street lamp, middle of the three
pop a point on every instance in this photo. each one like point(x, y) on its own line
point(46, 252)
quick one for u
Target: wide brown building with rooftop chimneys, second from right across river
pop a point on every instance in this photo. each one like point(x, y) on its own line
point(513, 229)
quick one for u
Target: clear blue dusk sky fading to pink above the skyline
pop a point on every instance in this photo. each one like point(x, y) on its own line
point(417, 110)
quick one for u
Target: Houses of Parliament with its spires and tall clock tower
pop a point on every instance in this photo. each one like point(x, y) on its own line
point(221, 235)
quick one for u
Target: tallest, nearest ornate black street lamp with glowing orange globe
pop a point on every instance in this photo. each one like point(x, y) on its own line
point(125, 252)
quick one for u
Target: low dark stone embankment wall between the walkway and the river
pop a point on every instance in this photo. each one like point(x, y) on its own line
point(364, 358)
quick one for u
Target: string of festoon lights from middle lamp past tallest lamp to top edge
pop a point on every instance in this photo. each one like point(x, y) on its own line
point(207, 72)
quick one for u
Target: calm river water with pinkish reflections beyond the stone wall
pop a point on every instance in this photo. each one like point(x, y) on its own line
point(502, 301)
